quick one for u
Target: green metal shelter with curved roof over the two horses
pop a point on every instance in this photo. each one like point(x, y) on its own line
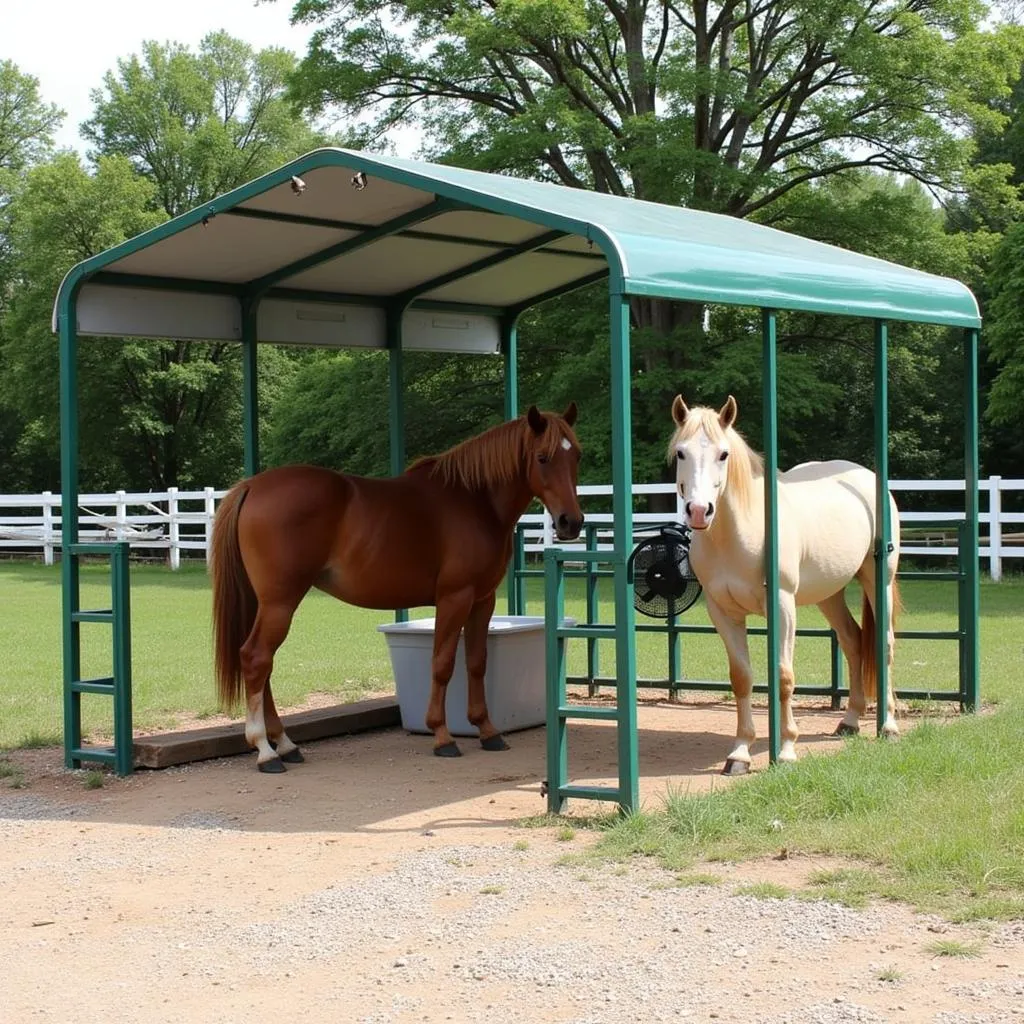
point(343, 248)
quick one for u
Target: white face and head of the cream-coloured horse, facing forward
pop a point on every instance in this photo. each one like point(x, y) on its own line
point(701, 447)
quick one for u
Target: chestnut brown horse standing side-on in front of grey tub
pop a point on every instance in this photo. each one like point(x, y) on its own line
point(440, 535)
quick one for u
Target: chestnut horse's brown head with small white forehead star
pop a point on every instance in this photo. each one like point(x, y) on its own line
point(552, 467)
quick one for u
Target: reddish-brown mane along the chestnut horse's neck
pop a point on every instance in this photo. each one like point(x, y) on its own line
point(498, 455)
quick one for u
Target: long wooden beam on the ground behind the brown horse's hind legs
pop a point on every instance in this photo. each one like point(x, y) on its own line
point(224, 741)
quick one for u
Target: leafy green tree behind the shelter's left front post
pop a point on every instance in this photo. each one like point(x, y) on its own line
point(153, 414)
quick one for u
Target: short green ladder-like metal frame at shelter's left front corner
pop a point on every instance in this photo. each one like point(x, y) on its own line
point(118, 685)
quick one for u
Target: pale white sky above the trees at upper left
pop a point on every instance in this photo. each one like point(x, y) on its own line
point(69, 46)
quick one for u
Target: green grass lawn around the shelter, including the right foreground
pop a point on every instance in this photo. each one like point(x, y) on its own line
point(936, 821)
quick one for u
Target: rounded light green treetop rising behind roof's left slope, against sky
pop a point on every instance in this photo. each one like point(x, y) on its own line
point(200, 124)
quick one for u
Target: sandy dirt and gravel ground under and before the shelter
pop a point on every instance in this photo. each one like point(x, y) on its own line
point(376, 883)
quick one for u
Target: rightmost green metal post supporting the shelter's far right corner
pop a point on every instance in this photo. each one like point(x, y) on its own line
point(972, 591)
